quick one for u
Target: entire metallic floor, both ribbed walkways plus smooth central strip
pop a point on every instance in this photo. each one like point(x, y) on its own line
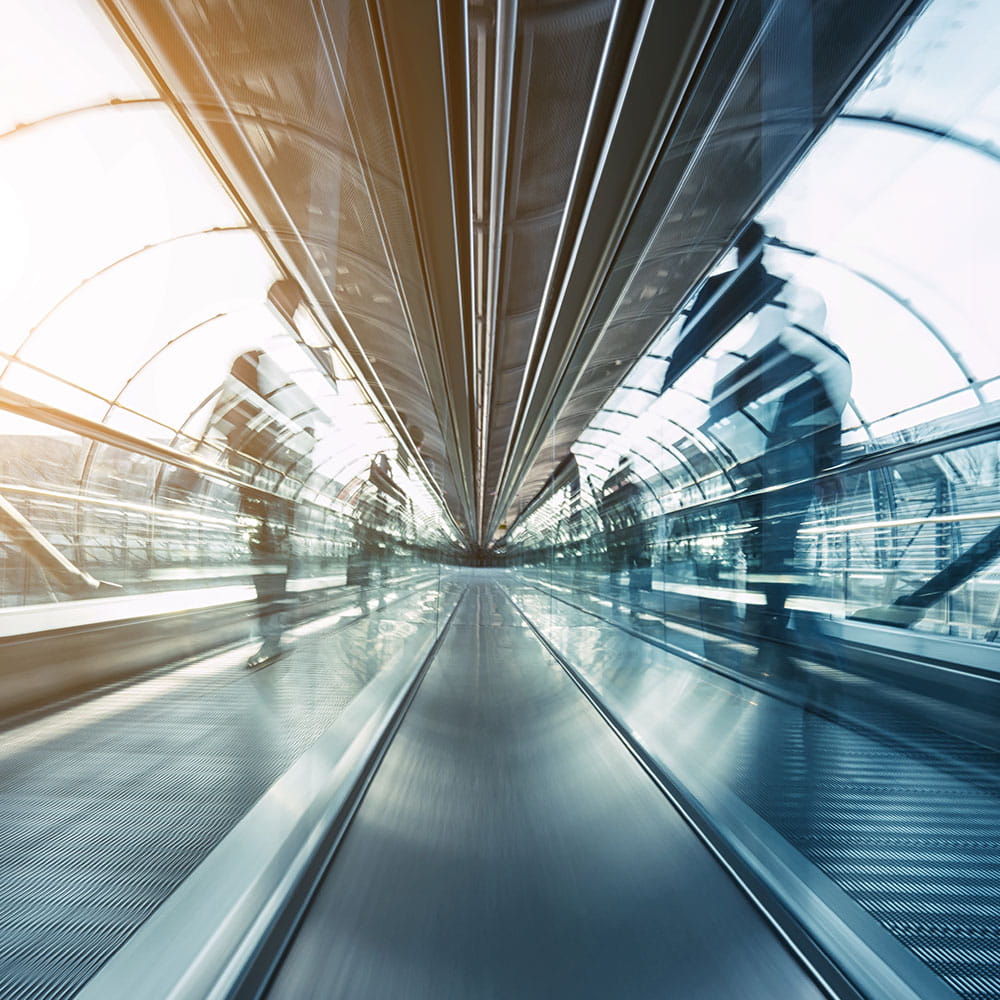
point(487, 791)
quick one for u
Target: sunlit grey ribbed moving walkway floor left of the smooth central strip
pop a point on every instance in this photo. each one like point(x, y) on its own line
point(106, 807)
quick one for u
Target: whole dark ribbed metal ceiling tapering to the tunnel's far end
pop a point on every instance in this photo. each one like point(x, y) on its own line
point(495, 206)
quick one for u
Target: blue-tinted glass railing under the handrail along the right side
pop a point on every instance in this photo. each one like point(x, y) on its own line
point(907, 537)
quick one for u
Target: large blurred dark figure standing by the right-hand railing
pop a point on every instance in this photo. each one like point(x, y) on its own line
point(791, 383)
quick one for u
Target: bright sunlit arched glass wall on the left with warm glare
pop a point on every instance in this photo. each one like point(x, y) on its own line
point(163, 384)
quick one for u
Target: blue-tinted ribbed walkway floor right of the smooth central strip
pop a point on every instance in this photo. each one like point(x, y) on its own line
point(903, 817)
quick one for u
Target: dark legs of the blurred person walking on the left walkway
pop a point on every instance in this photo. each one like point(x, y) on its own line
point(269, 543)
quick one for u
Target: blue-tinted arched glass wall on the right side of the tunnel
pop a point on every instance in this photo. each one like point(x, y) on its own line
point(815, 433)
